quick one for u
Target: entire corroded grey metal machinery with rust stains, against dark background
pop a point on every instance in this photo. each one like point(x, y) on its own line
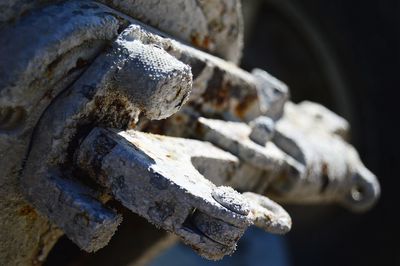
point(70, 96)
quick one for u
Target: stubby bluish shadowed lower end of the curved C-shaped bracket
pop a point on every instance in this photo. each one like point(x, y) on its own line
point(76, 209)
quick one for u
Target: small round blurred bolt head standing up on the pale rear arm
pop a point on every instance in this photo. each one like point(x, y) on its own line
point(262, 130)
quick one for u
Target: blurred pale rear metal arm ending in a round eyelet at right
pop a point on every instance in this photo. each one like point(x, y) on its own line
point(302, 164)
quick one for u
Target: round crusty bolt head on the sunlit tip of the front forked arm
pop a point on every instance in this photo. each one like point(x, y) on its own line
point(231, 199)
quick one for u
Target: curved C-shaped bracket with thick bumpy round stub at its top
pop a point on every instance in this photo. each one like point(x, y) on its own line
point(98, 97)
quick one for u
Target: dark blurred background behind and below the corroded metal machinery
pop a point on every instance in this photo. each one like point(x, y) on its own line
point(345, 55)
